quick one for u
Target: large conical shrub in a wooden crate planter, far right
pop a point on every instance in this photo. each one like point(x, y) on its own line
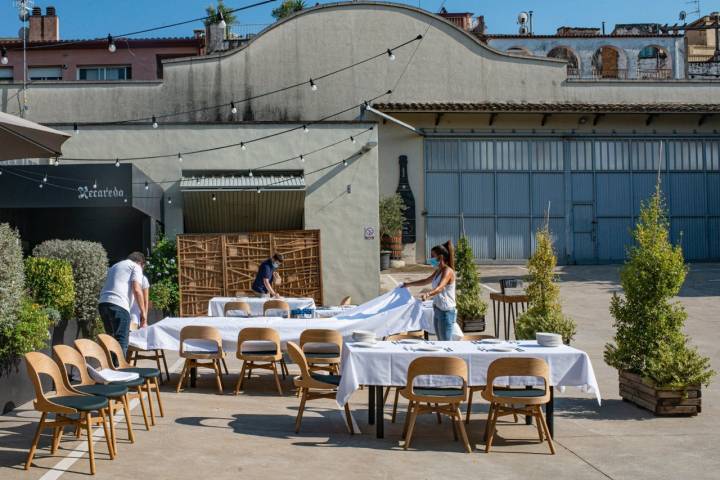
point(658, 368)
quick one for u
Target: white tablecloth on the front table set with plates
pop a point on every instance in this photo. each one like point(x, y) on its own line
point(388, 365)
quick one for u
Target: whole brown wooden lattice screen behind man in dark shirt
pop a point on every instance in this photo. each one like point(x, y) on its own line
point(226, 265)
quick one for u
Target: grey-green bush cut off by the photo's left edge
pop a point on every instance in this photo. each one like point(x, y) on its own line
point(12, 277)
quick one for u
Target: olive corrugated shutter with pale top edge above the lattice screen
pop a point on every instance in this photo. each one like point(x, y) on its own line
point(226, 204)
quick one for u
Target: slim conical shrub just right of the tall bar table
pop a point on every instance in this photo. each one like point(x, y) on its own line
point(544, 313)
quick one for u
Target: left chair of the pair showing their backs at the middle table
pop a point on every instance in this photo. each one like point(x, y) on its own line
point(209, 357)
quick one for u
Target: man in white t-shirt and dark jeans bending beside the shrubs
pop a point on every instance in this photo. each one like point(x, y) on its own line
point(123, 283)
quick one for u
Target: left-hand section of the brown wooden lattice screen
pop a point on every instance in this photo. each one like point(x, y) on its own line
point(200, 272)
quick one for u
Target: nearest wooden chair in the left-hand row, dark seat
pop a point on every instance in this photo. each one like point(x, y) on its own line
point(68, 406)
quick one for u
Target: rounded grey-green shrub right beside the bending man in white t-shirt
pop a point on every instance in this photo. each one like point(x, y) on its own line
point(89, 265)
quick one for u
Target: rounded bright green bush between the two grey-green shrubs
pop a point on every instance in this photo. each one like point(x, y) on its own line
point(49, 282)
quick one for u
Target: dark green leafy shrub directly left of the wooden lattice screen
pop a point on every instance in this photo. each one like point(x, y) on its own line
point(162, 272)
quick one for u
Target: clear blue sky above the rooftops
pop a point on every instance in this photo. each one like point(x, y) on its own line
point(96, 18)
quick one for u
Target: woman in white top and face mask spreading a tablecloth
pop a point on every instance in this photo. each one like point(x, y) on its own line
point(443, 289)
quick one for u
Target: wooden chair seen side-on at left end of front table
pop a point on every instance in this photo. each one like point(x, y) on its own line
point(313, 385)
